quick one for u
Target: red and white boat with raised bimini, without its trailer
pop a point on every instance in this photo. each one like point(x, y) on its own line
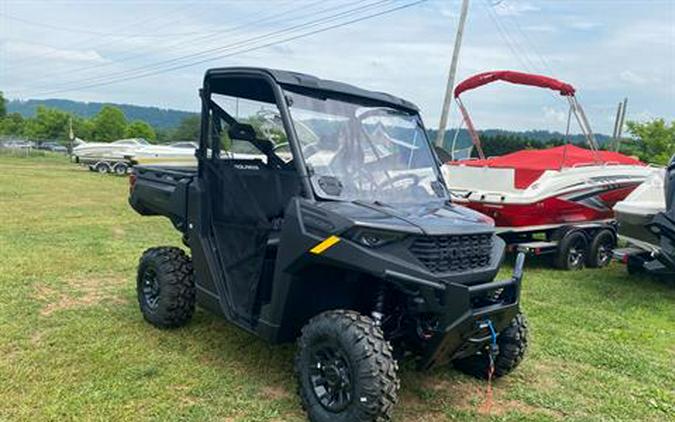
point(534, 190)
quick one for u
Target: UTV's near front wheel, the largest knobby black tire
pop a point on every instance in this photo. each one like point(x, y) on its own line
point(345, 369)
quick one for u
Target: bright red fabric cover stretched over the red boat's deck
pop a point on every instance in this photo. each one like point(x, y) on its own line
point(529, 165)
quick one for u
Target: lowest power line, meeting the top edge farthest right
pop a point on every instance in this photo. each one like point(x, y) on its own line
point(285, 40)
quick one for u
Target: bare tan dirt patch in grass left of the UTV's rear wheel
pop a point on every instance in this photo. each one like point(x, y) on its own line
point(78, 292)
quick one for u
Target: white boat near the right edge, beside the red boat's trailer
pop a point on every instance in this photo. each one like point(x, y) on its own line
point(639, 209)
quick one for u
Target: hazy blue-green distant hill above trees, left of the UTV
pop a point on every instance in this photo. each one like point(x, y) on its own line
point(157, 117)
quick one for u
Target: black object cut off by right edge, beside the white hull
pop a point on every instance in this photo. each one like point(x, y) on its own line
point(663, 224)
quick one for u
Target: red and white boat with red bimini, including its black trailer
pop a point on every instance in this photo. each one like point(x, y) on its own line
point(557, 200)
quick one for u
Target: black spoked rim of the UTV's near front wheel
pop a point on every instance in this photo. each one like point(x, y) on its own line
point(330, 377)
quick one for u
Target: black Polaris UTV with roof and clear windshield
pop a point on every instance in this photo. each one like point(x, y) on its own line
point(346, 241)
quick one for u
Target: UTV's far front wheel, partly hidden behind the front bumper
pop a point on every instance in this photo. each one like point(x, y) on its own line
point(512, 343)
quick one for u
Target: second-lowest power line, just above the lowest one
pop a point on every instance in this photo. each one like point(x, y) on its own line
point(234, 45)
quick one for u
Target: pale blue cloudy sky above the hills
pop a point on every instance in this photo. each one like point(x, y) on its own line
point(607, 49)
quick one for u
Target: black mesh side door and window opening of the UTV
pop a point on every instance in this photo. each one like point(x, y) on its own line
point(247, 186)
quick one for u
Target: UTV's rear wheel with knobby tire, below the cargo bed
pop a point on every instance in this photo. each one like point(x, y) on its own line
point(165, 287)
